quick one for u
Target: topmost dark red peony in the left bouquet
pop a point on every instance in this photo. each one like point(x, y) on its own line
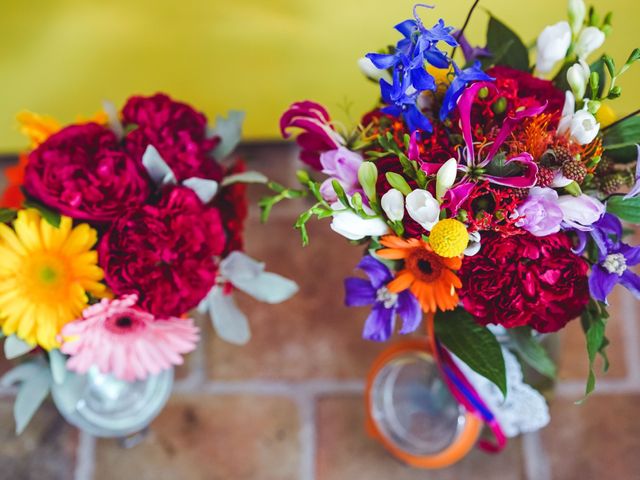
point(178, 132)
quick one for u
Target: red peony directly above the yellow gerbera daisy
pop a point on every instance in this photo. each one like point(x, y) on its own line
point(81, 172)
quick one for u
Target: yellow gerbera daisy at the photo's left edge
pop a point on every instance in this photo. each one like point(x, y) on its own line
point(45, 275)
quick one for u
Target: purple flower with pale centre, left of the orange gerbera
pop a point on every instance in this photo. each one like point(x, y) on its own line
point(380, 324)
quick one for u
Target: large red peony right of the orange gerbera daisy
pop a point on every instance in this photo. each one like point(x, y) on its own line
point(525, 280)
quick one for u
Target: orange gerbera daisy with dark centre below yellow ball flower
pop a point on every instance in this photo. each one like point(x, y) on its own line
point(427, 275)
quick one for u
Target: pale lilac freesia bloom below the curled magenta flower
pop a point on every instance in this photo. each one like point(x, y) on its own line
point(342, 165)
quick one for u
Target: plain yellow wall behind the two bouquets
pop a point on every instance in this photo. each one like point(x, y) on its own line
point(62, 57)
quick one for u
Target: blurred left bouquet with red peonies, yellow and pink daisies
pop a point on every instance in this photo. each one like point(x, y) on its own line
point(112, 230)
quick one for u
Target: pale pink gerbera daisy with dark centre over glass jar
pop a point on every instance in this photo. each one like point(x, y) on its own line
point(124, 340)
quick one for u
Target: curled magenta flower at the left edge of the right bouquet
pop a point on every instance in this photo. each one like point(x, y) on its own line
point(318, 135)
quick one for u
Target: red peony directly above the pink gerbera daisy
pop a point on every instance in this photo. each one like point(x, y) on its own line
point(164, 253)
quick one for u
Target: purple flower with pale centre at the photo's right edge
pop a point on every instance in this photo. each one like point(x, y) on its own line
point(614, 259)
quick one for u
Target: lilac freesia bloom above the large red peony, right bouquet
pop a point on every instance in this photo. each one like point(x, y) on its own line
point(540, 213)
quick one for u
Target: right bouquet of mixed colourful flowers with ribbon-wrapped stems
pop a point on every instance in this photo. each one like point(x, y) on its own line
point(488, 197)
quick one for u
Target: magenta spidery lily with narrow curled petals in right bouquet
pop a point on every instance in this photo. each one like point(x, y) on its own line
point(473, 165)
